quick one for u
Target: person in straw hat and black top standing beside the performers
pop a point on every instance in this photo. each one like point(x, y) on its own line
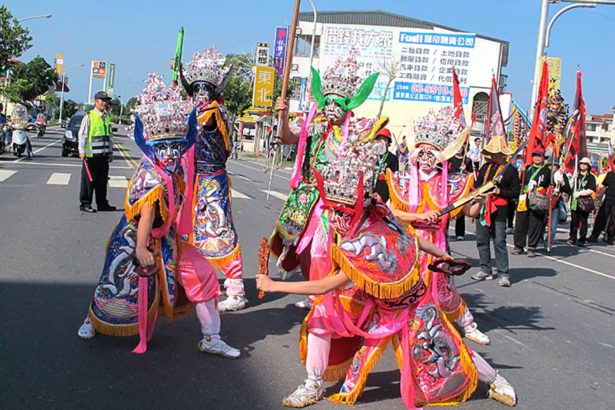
point(493, 209)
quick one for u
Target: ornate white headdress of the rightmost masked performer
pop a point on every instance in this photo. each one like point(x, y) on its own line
point(441, 130)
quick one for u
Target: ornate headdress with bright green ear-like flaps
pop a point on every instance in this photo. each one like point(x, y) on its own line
point(342, 79)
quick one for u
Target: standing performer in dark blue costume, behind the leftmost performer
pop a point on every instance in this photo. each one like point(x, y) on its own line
point(213, 232)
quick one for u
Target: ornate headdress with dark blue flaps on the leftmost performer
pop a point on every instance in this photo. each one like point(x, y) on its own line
point(162, 116)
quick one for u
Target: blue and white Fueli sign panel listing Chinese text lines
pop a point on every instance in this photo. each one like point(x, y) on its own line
point(426, 60)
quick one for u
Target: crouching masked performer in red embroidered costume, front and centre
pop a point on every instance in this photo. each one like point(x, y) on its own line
point(376, 293)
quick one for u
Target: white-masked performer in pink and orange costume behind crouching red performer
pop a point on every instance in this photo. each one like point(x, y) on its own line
point(425, 187)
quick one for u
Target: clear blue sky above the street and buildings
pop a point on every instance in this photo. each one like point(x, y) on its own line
point(139, 36)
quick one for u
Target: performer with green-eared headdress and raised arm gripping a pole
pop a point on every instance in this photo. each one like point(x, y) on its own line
point(295, 240)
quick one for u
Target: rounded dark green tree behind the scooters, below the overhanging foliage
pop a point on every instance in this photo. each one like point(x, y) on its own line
point(31, 80)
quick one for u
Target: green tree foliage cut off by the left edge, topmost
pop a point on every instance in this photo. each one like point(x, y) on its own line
point(14, 39)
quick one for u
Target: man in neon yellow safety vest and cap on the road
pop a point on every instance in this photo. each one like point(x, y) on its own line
point(96, 152)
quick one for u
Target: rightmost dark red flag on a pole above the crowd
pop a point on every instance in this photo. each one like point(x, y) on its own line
point(577, 138)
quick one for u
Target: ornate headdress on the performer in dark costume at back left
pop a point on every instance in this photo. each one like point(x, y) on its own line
point(206, 66)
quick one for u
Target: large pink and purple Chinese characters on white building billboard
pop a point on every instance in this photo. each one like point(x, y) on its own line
point(373, 46)
